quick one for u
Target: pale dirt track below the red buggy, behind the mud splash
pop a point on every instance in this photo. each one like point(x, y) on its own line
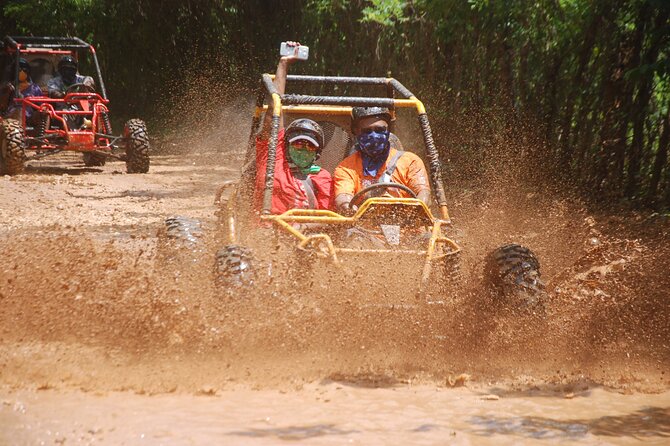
point(62, 191)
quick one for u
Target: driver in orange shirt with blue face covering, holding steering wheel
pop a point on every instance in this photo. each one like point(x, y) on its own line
point(377, 159)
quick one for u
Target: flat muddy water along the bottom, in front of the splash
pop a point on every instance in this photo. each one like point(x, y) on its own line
point(335, 413)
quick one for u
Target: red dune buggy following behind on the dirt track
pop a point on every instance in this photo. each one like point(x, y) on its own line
point(78, 122)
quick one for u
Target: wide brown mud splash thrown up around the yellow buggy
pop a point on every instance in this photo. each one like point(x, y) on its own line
point(115, 315)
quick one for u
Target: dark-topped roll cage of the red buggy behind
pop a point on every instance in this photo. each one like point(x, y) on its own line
point(23, 43)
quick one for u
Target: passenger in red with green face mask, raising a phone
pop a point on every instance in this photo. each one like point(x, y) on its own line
point(298, 182)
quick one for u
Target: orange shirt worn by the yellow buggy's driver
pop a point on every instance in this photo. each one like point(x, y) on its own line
point(410, 171)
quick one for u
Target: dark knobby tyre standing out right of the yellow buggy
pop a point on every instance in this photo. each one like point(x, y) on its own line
point(513, 271)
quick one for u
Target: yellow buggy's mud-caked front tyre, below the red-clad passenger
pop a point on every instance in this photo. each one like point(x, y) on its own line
point(233, 268)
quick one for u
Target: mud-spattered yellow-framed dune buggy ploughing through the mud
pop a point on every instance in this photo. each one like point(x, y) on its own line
point(387, 231)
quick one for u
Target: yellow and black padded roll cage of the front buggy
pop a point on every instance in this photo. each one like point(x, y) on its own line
point(342, 105)
